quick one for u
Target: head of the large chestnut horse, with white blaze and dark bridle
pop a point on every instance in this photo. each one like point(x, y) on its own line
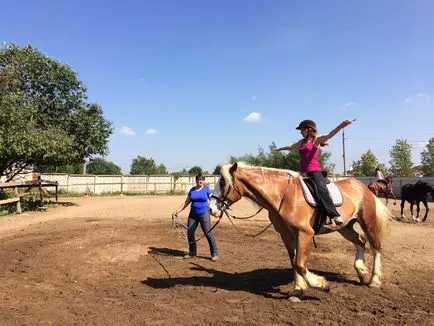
point(227, 190)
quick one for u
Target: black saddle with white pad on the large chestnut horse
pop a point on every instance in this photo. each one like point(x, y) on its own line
point(311, 194)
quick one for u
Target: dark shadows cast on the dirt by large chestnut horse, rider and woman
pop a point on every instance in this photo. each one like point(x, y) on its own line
point(265, 282)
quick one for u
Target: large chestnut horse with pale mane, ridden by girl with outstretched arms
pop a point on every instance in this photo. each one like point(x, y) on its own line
point(279, 192)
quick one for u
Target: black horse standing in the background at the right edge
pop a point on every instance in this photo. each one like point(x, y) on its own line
point(414, 194)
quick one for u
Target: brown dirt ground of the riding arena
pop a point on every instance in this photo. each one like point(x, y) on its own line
point(117, 261)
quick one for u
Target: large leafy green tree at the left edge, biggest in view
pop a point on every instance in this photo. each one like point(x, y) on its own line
point(46, 120)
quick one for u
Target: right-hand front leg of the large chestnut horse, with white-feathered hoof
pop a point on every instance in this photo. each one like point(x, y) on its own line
point(304, 243)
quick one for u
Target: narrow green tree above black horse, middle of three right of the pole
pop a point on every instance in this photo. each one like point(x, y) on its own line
point(400, 163)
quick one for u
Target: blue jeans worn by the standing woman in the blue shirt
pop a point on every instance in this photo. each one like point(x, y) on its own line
point(205, 223)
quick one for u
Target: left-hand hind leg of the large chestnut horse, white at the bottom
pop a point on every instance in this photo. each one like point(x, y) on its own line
point(359, 242)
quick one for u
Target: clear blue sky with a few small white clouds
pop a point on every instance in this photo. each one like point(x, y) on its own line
point(193, 82)
